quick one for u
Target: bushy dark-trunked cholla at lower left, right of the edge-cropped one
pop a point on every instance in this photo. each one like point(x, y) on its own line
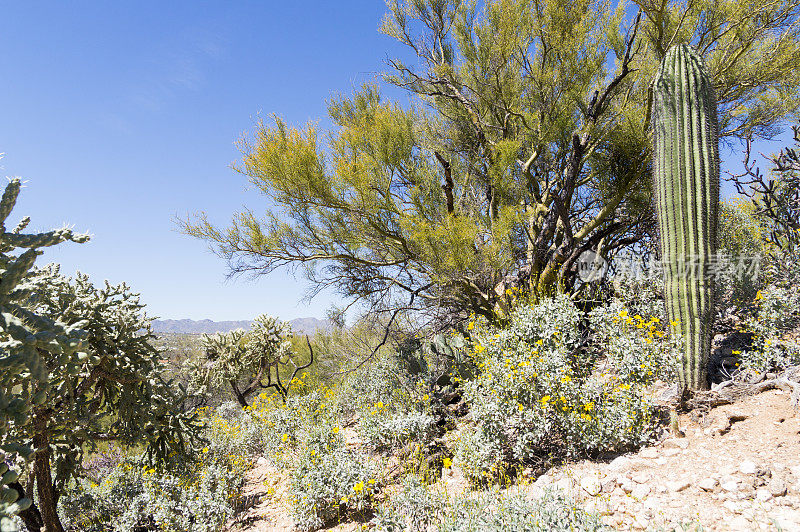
point(110, 390)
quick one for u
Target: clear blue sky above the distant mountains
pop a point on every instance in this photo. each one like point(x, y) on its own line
point(124, 115)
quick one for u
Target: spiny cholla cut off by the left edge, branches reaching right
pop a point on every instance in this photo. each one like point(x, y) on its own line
point(27, 339)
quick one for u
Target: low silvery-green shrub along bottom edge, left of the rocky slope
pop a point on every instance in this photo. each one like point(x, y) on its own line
point(418, 508)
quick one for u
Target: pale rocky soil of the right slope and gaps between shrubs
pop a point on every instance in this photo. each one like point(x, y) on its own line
point(736, 468)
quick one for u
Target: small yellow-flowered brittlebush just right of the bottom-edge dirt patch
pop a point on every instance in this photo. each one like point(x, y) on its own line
point(330, 481)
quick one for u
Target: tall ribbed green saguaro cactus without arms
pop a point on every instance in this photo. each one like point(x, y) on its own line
point(686, 157)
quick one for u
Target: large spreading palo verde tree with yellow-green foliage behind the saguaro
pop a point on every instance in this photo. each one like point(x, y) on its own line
point(527, 143)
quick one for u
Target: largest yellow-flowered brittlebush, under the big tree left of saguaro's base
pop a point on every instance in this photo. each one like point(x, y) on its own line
point(533, 399)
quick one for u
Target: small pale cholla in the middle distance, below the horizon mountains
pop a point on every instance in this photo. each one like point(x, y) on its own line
point(248, 362)
